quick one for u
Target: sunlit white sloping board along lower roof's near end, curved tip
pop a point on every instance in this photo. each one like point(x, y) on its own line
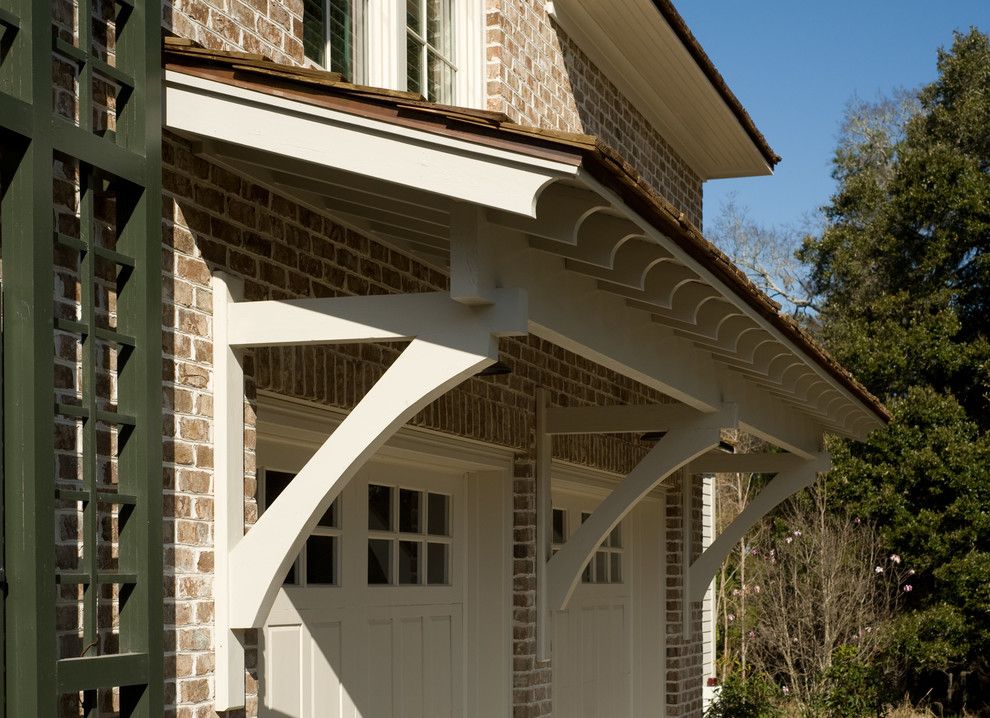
point(447, 166)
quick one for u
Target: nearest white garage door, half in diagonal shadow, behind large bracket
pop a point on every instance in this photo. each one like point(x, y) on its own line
point(371, 621)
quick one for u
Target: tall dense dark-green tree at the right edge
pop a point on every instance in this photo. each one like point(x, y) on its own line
point(901, 275)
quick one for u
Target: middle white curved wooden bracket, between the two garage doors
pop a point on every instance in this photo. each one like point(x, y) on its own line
point(688, 435)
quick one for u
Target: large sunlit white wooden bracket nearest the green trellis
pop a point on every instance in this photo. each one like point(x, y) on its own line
point(449, 342)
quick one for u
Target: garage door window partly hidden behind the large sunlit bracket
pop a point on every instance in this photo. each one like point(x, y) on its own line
point(318, 564)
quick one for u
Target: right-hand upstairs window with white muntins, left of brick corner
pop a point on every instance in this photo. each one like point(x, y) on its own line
point(430, 65)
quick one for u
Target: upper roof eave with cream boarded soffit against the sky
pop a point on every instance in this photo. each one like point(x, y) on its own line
point(646, 50)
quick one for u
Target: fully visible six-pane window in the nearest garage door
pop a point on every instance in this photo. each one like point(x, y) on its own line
point(408, 537)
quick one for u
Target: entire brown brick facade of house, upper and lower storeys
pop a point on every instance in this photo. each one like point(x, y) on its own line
point(216, 220)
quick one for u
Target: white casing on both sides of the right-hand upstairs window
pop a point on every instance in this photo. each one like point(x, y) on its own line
point(385, 59)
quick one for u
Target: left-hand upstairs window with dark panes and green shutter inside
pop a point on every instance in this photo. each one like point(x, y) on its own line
point(334, 36)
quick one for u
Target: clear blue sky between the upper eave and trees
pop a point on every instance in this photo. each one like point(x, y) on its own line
point(795, 64)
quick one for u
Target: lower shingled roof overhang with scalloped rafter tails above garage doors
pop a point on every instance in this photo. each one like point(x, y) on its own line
point(610, 272)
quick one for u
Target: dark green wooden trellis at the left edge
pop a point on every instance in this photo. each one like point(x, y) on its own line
point(32, 674)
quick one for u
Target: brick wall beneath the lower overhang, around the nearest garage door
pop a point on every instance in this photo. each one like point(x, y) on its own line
point(214, 219)
